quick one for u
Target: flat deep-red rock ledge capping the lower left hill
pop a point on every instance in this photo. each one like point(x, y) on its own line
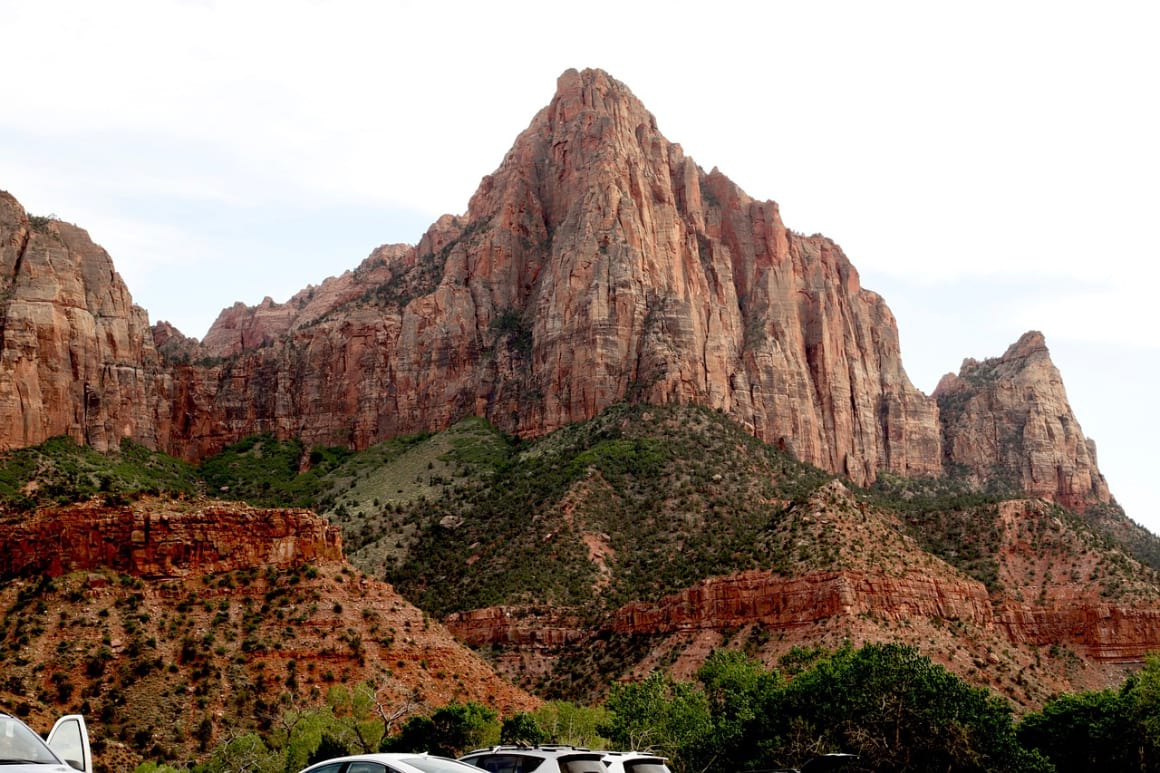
point(179, 541)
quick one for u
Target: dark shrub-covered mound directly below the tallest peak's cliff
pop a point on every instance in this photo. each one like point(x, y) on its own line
point(635, 504)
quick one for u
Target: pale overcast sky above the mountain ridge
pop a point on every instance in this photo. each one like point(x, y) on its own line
point(990, 168)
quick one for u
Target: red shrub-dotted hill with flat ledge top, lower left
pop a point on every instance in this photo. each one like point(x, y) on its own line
point(197, 603)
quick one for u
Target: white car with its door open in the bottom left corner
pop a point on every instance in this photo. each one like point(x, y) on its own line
point(66, 752)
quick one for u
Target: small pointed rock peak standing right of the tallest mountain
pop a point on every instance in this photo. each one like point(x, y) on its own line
point(1009, 420)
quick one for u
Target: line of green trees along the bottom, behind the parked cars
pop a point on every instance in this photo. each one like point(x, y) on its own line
point(893, 707)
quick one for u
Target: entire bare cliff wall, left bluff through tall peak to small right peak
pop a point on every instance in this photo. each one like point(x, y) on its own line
point(598, 264)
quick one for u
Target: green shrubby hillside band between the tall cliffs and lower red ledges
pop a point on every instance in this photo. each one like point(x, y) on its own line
point(633, 505)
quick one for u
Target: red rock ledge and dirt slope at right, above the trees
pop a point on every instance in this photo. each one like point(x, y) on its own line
point(1067, 613)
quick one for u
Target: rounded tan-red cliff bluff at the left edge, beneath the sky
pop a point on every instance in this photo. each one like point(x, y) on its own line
point(76, 356)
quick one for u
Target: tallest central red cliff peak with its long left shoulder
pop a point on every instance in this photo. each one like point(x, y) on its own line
point(597, 264)
